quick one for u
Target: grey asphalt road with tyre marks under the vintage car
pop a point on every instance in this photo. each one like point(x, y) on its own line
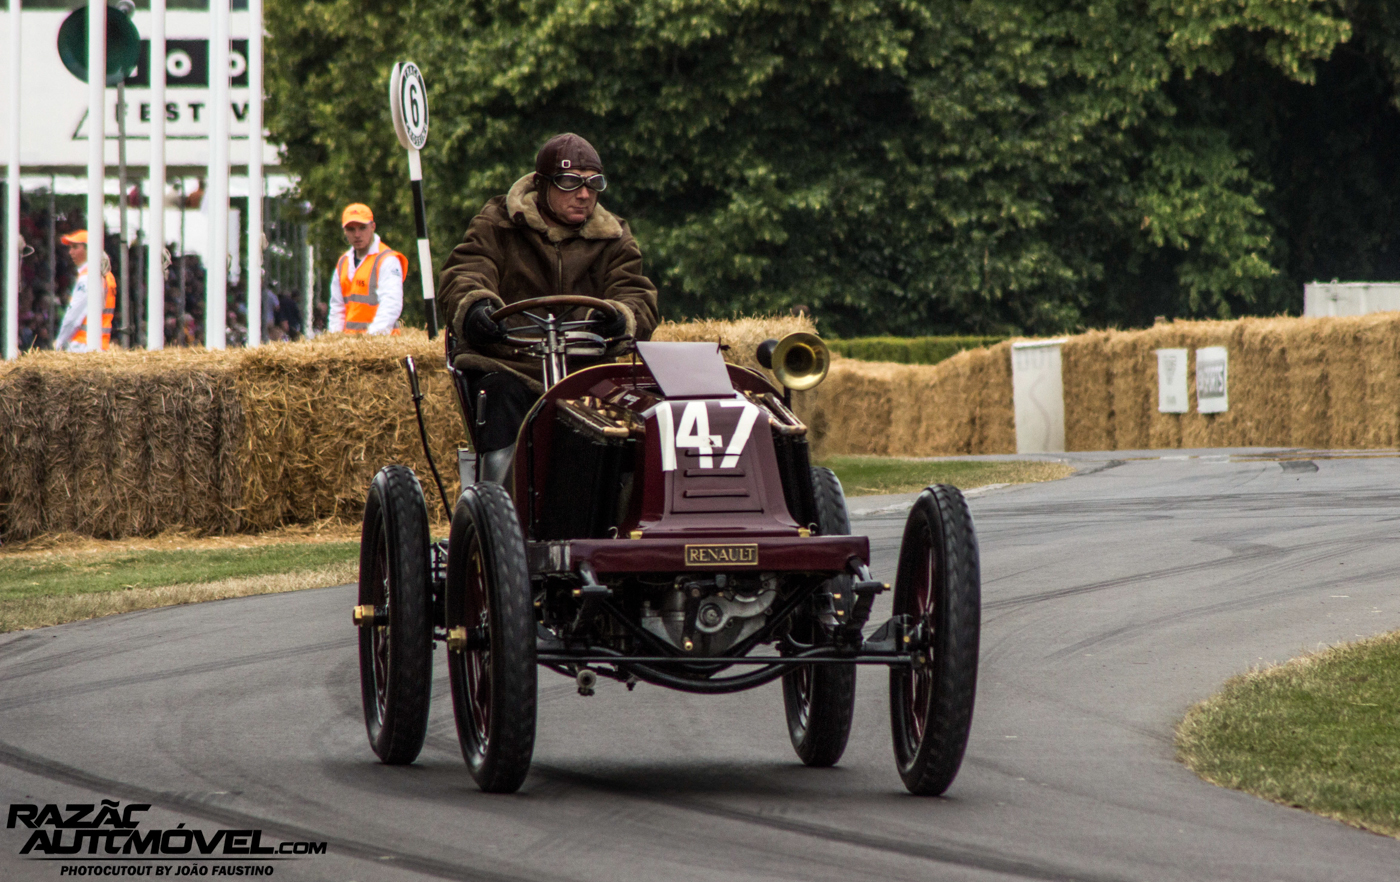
point(1112, 601)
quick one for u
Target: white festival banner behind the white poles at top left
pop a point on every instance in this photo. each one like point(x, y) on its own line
point(54, 103)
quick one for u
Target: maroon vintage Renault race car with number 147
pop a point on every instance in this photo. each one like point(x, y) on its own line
point(661, 524)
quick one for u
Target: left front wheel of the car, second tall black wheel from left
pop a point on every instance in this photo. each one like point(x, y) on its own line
point(493, 678)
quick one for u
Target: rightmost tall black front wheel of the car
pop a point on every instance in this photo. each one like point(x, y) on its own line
point(940, 587)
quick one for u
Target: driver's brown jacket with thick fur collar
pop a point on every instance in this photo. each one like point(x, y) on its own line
point(510, 254)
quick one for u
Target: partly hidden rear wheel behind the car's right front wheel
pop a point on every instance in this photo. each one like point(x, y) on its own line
point(821, 699)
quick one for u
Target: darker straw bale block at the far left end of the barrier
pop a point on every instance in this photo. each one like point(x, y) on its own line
point(114, 444)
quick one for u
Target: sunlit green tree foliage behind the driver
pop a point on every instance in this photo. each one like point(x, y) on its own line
point(898, 166)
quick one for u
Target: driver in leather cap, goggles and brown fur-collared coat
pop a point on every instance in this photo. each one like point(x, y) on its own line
point(548, 236)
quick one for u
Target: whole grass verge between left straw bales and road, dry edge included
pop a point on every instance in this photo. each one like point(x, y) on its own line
point(55, 586)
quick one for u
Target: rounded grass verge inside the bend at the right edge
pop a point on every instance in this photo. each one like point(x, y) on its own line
point(1318, 733)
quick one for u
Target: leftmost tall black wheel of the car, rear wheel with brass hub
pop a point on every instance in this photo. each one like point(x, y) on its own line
point(397, 656)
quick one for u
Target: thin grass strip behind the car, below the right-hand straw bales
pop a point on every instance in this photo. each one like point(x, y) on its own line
point(871, 475)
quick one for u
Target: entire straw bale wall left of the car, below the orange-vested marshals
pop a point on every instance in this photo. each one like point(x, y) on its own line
point(129, 443)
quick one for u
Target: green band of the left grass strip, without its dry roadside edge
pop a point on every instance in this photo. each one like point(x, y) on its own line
point(29, 576)
